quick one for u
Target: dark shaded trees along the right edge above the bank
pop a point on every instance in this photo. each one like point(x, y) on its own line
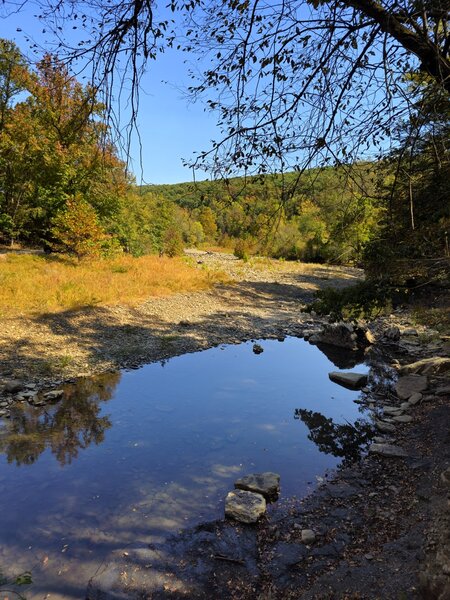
point(412, 244)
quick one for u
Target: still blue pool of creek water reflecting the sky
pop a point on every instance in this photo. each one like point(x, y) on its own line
point(175, 437)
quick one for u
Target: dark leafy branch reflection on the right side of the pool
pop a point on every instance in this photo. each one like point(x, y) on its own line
point(345, 440)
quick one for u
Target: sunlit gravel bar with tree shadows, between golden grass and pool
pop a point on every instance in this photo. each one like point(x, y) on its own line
point(263, 299)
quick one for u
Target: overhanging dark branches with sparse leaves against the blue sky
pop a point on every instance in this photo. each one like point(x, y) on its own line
point(293, 81)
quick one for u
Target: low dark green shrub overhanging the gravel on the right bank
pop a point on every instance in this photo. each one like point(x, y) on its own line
point(364, 300)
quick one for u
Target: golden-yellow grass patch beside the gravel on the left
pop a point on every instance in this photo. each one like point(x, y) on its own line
point(31, 284)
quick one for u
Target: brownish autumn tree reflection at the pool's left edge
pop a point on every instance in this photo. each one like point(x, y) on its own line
point(72, 424)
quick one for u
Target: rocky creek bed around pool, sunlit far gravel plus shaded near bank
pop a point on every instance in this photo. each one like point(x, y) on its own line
point(378, 528)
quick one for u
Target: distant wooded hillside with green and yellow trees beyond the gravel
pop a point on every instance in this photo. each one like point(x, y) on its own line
point(323, 215)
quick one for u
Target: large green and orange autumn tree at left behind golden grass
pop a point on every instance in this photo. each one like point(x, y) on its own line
point(53, 147)
